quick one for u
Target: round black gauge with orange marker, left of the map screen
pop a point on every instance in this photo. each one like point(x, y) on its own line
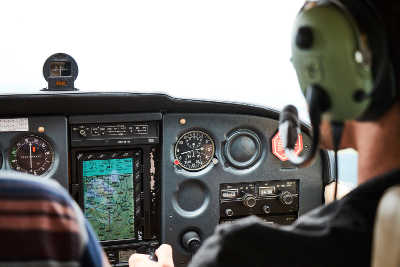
point(31, 154)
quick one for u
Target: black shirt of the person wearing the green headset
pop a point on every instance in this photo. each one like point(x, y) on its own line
point(338, 234)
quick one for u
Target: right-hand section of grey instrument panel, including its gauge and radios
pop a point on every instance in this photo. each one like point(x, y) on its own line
point(243, 162)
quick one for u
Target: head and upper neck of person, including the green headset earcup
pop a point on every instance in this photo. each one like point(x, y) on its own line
point(350, 50)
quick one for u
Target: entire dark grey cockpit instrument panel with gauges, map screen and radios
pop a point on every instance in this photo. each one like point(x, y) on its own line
point(161, 170)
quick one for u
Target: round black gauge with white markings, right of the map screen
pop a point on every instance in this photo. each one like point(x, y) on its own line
point(194, 150)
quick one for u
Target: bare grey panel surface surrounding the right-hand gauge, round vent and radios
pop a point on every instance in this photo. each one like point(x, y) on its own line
point(190, 200)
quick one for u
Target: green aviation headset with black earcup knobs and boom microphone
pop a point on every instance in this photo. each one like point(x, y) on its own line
point(342, 59)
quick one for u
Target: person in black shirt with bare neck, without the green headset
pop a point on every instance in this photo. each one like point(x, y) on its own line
point(339, 233)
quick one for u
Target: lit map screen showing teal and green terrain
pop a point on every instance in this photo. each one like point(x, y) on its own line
point(108, 197)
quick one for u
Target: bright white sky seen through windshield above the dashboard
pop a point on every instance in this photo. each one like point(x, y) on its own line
point(230, 50)
